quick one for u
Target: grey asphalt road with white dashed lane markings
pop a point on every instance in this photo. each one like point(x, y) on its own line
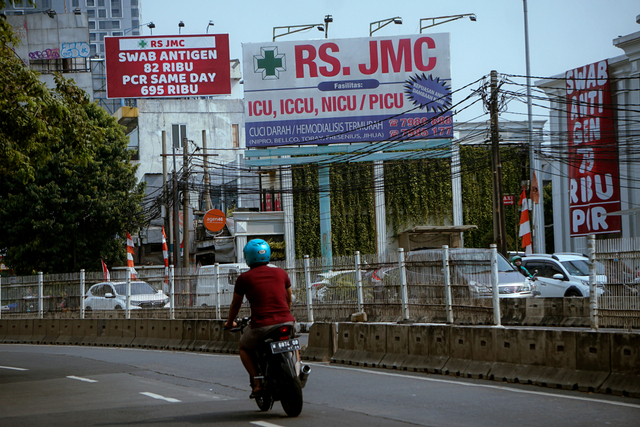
point(89, 386)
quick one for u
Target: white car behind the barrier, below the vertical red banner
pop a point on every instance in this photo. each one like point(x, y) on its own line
point(563, 274)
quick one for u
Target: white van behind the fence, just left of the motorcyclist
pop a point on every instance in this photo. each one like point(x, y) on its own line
point(206, 283)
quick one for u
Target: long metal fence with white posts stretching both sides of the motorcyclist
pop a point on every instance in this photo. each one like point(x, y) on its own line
point(411, 286)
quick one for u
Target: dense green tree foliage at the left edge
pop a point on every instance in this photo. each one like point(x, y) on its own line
point(68, 192)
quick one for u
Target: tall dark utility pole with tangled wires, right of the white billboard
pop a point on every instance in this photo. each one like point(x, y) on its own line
point(499, 226)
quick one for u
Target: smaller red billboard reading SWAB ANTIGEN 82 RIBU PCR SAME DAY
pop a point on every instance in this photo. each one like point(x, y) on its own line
point(167, 66)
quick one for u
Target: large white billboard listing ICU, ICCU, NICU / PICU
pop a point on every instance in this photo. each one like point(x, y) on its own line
point(347, 90)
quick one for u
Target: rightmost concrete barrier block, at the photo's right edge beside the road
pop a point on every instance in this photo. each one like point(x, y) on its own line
point(624, 379)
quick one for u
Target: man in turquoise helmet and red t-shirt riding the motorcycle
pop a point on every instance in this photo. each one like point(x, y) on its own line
point(268, 291)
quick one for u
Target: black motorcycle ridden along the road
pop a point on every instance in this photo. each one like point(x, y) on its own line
point(281, 375)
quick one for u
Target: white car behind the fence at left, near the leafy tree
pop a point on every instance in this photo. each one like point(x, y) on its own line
point(113, 296)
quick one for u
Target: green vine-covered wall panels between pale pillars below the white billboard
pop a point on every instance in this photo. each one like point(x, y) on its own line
point(417, 192)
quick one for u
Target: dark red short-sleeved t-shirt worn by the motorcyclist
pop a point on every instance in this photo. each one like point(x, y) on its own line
point(266, 289)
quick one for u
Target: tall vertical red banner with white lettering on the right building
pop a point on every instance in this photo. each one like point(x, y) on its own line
point(593, 151)
